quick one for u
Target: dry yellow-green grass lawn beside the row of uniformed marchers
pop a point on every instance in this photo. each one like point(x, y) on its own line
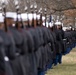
point(68, 67)
